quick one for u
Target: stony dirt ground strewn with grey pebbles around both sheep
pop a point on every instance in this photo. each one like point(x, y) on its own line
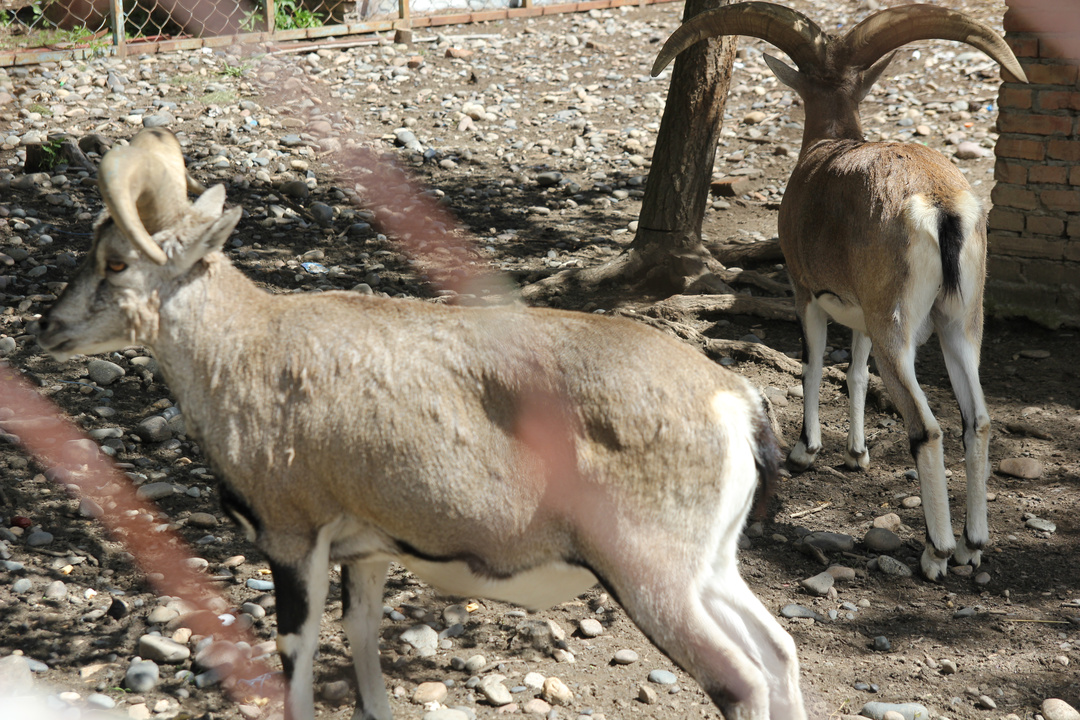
point(537, 137)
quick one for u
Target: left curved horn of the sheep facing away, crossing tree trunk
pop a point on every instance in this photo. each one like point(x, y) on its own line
point(790, 31)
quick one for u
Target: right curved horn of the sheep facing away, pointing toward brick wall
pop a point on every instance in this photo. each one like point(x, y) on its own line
point(889, 30)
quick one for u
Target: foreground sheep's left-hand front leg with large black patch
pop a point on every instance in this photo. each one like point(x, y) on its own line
point(301, 589)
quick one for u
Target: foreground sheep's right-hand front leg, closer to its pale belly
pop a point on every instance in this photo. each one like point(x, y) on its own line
point(361, 612)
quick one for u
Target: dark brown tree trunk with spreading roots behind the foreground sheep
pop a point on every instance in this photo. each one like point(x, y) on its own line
point(667, 256)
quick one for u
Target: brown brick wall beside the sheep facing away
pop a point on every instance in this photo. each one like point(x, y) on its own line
point(1035, 223)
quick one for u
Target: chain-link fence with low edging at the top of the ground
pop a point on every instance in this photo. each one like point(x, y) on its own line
point(40, 31)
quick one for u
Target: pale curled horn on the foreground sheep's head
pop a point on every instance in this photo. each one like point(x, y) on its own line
point(144, 187)
